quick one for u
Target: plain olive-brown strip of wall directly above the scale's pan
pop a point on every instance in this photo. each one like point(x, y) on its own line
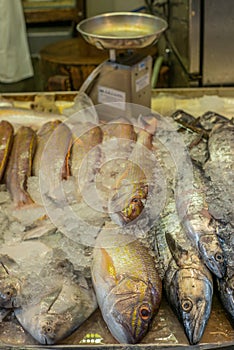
point(95, 7)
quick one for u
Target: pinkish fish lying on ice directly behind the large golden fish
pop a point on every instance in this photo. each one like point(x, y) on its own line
point(132, 184)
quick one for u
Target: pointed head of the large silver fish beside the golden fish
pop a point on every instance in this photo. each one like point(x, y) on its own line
point(190, 294)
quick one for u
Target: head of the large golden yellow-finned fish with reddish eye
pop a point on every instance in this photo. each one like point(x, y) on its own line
point(129, 309)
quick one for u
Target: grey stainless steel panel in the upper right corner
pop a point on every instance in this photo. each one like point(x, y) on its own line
point(218, 49)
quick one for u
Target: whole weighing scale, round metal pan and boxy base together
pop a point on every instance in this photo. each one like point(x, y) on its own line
point(126, 76)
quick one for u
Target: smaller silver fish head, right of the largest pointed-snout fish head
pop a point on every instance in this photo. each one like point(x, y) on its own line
point(212, 254)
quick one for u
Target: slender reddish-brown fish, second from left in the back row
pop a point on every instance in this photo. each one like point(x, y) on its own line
point(19, 166)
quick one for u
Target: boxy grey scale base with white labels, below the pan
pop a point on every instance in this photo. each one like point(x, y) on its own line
point(127, 80)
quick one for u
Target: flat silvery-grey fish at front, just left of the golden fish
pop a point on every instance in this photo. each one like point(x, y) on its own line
point(59, 312)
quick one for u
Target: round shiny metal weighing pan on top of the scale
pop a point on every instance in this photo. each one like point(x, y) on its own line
point(122, 30)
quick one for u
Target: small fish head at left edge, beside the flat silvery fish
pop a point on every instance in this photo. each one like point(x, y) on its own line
point(10, 288)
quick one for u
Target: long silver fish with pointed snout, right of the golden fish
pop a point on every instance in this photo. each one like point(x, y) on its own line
point(187, 282)
